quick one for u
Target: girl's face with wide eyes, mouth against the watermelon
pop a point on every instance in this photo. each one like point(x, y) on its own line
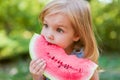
point(58, 30)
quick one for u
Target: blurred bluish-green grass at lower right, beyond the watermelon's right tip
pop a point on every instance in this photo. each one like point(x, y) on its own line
point(110, 65)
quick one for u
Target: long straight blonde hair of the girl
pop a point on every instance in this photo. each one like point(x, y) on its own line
point(79, 14)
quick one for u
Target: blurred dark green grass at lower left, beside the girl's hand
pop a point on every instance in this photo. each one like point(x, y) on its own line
point(17, 69)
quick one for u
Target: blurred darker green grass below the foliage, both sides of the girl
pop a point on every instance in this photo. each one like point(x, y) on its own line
point(18, 69)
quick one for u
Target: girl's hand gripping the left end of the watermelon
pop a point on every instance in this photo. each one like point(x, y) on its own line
point(37, 68)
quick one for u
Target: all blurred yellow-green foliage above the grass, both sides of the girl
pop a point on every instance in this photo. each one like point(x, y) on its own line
point(19, 20)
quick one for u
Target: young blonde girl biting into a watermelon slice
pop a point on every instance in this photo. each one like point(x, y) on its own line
point(67, 23)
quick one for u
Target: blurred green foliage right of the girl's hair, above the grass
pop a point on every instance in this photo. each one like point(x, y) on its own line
point(106, 19)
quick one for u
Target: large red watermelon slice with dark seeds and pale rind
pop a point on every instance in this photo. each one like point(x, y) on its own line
point(60, 66)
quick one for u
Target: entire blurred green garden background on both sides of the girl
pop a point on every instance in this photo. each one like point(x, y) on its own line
point(19, 21)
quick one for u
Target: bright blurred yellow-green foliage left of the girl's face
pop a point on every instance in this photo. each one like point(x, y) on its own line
point(18, 21)
